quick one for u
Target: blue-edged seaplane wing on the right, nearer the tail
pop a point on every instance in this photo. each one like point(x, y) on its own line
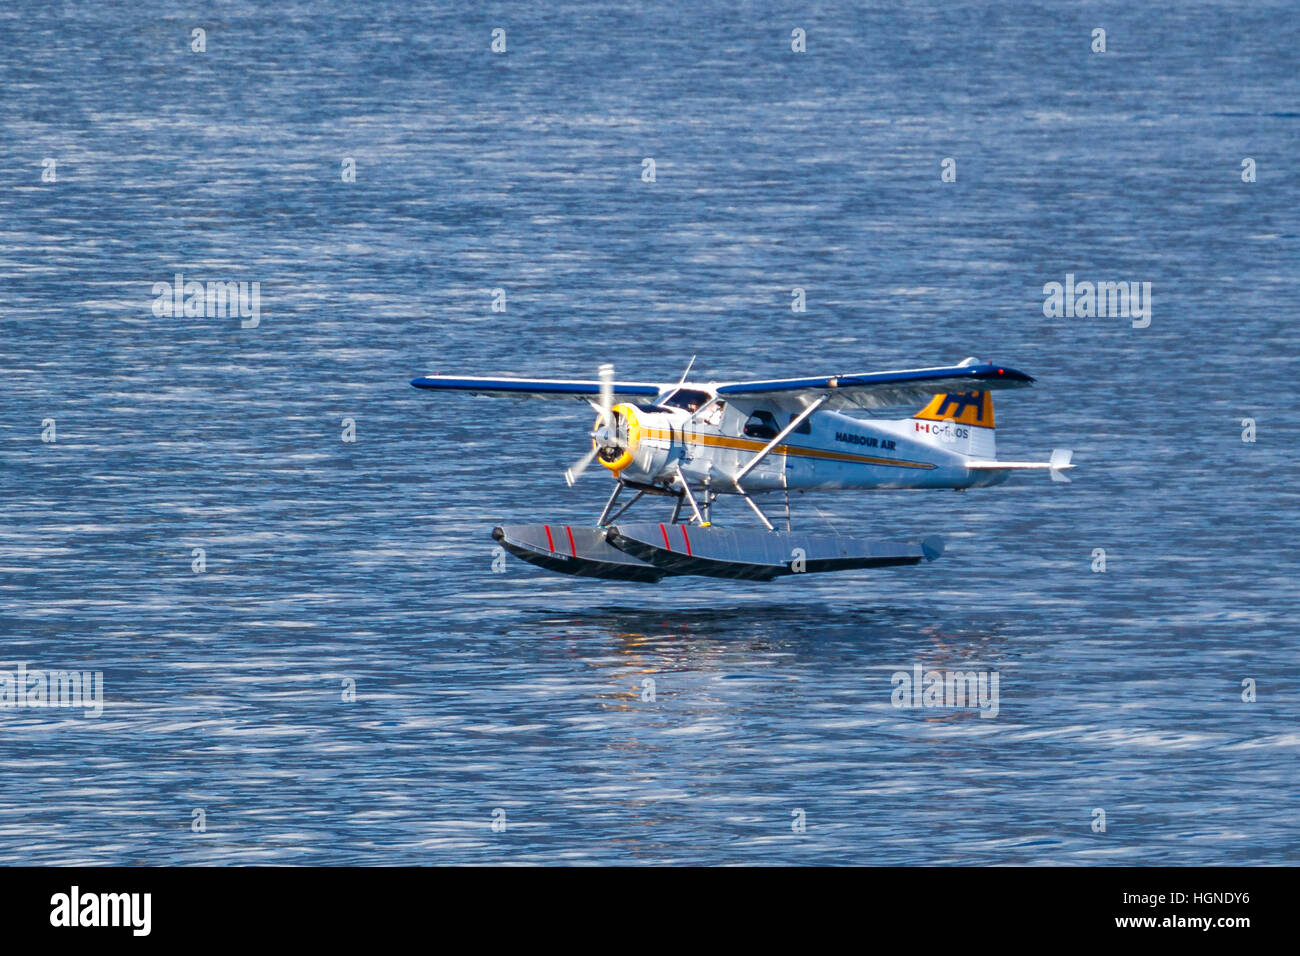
point(881, 390)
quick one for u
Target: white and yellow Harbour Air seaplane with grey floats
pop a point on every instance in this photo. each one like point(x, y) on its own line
point(694, 443)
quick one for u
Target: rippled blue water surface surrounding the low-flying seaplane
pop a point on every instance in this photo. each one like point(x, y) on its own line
point(370, 563)
